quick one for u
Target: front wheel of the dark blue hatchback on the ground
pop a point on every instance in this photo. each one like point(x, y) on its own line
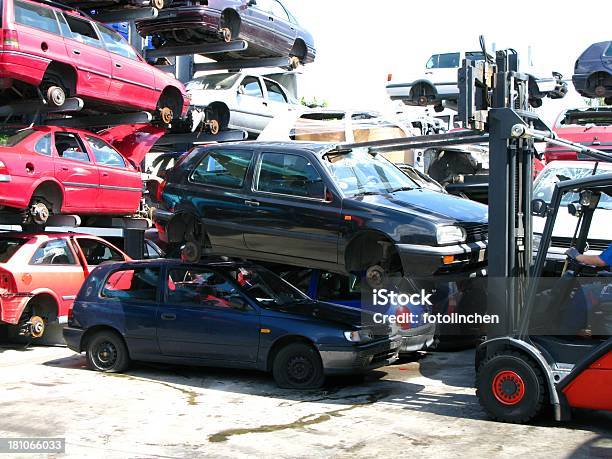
point(298, 366)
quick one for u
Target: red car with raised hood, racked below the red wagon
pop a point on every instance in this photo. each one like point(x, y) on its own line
point(54, 170)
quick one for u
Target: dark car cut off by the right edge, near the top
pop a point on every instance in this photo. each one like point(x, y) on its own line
point(593, 72)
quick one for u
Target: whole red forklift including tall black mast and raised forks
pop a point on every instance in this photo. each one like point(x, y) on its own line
point(518, 371)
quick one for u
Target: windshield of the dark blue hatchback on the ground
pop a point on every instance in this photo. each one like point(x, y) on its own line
point(265, 287)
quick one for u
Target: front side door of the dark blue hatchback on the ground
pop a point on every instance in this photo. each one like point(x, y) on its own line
point(204, 316)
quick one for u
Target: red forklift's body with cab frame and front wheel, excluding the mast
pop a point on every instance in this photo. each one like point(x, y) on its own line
point(555, 357)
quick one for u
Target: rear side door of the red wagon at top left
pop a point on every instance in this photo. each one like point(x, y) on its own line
point(88, 55)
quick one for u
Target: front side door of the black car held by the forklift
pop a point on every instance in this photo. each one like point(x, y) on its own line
point(294, 212)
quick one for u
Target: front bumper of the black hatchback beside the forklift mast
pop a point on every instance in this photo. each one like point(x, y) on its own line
point(423, 261)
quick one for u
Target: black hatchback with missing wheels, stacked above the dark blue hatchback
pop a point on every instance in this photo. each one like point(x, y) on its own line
point(318, 205)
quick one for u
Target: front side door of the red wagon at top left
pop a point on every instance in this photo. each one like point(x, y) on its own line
point(133, 80)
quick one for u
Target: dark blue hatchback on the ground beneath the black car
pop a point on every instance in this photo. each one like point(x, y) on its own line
point(221, 314)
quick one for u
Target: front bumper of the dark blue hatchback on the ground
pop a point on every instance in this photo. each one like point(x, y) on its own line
point(359, 359)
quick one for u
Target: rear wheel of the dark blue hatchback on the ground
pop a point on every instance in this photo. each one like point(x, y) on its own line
point(106, 352)
